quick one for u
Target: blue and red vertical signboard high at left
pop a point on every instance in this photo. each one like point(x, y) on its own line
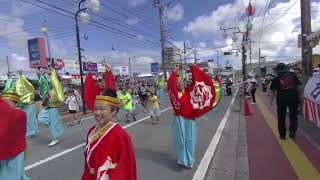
point(37, 53)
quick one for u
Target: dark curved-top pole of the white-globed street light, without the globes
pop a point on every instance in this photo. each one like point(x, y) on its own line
point(79, 56)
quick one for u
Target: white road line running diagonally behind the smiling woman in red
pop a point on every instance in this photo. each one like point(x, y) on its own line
point(50, 158)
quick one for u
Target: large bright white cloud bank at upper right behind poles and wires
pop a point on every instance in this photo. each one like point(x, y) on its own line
point(280, 39)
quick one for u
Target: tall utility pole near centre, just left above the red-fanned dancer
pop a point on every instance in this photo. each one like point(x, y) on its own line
point(157, 3)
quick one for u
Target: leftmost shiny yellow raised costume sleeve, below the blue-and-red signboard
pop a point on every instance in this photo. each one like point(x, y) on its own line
point(25, 90)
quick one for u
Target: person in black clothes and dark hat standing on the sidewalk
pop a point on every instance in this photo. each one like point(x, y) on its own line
point(285, 88)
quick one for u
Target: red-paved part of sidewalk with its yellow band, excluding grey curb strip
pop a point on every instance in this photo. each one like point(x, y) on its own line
point(272, 158)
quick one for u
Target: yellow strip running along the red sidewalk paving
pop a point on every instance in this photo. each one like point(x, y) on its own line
point(298, 160)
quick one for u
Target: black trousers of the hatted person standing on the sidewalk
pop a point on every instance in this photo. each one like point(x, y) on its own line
point(293, 113)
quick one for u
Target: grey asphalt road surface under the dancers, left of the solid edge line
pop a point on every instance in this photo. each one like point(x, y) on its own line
point(152, 144)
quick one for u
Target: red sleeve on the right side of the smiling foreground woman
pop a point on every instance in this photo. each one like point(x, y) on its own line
point(126, 167)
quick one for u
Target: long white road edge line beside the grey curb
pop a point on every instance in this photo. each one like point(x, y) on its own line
point(205, 162)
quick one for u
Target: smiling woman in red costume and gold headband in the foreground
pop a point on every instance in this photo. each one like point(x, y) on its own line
point(109, 153)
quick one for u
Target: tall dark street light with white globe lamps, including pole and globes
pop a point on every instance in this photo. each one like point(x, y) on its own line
point(84, 17)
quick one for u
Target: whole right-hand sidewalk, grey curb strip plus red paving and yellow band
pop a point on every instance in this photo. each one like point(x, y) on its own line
point(250, 148)
